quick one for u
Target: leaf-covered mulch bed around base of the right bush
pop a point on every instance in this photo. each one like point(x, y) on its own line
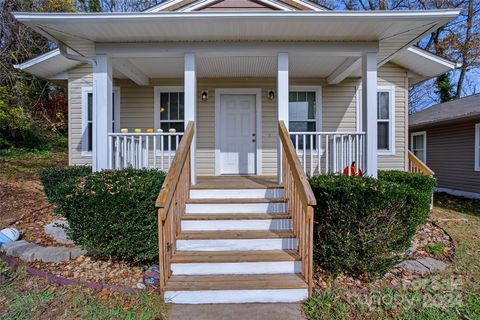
point(397, 277)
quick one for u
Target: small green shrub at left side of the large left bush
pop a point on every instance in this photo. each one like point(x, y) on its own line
point(60, 181)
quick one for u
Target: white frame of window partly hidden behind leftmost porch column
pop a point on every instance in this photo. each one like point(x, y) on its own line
point(115, 117)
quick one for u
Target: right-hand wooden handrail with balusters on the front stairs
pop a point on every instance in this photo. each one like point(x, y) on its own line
point(301, 201)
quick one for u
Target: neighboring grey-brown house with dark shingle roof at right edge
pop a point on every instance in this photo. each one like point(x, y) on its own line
point(446, 137)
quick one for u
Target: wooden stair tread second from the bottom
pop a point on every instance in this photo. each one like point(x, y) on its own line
point(235, 256)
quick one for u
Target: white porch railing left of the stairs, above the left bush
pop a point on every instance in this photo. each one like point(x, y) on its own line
point(142, 150)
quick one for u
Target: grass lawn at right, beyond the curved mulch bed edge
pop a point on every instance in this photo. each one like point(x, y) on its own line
point(454, 294)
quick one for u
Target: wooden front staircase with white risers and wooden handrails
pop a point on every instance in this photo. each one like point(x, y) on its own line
point(233, 240)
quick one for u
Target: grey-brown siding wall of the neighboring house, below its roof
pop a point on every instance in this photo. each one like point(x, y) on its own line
point(451, 155)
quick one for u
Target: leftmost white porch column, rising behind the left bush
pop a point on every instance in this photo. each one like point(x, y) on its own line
point(102, 111)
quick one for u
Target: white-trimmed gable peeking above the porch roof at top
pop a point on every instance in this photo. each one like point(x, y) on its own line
point(236, 5)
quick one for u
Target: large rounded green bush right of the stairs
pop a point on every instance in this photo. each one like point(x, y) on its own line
point(361, 223)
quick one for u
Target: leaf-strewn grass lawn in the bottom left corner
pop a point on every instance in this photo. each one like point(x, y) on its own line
point(25, 297)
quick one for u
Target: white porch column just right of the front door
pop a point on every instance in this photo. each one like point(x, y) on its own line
point(282, 102)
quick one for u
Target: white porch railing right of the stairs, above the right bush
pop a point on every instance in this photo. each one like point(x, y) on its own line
point(329, 152)
